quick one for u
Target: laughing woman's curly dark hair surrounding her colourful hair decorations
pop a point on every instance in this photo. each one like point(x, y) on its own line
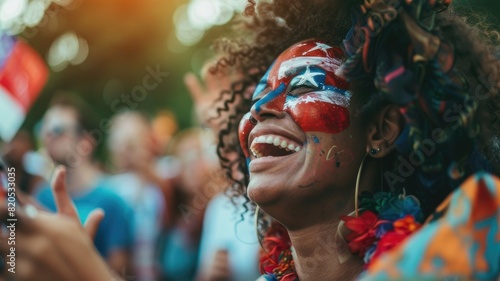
point(268, 28)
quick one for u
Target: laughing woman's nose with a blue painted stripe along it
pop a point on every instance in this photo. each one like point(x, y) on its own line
point(270, 105)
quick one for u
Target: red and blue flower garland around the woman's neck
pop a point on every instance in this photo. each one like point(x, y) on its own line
point(385, 220)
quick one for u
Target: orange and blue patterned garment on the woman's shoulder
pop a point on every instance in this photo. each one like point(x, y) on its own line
point(461, 241)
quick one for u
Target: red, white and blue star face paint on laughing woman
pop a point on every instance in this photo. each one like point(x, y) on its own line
point(302, 82)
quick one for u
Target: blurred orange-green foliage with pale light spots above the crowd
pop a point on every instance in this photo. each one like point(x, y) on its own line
point(101, 49)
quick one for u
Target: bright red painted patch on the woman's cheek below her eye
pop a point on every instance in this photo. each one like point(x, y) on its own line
point(320, 116)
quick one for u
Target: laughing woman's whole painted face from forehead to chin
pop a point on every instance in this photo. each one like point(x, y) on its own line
point(295, 137)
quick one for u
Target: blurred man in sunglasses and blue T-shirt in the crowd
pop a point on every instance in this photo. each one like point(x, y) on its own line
point(66, 138)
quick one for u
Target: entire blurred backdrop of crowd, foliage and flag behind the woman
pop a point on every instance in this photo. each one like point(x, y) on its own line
point(133, 55)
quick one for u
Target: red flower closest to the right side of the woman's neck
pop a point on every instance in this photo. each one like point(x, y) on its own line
point(362, 234)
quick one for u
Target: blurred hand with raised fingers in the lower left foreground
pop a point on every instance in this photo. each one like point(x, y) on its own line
point(53, 246)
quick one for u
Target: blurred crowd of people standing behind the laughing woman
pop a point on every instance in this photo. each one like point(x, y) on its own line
point(161, 188)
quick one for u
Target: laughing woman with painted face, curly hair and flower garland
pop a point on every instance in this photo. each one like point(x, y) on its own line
point(382, 123)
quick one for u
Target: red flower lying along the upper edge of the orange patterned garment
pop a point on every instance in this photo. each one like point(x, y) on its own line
point(402, 229)
